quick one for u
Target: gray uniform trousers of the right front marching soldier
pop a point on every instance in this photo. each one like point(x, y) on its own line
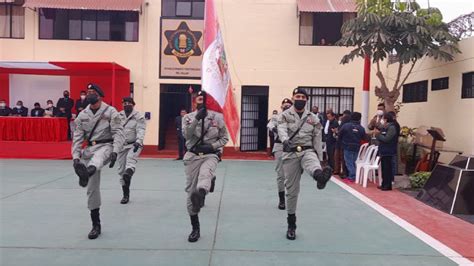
point(293, 165)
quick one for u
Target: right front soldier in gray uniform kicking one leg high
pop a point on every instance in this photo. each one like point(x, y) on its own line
point(300, 132)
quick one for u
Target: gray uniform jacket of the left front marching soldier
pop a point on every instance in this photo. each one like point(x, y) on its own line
point(109, 127)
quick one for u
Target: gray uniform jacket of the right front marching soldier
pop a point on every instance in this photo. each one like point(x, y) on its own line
point(310, 133)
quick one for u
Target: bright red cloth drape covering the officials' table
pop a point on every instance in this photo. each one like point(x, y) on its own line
point(33, 129)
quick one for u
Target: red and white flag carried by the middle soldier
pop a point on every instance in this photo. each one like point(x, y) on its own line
point(215, 73)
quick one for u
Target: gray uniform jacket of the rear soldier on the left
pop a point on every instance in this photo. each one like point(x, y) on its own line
point(134, 130)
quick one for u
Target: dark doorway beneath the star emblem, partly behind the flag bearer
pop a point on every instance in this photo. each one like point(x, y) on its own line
point(173, 98)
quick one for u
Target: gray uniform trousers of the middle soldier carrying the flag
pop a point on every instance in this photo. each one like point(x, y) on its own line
point(199, 170)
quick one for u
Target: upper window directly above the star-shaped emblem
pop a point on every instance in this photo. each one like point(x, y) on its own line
point(182, 8)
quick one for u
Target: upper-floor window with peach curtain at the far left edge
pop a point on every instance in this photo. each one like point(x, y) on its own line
point(12, 20)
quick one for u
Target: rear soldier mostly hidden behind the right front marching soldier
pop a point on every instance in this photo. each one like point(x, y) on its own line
point(278, 152)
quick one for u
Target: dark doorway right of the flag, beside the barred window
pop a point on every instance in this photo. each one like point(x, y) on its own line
point(253, 132)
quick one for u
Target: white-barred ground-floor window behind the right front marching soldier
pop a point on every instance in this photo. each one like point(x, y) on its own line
point(338, 99)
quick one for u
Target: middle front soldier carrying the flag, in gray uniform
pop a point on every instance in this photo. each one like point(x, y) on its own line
point(206, 135)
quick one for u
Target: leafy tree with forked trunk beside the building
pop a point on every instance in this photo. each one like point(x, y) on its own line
point(402, 29)
